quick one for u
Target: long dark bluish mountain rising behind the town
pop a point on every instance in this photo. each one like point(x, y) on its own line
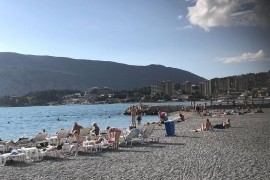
point(20, 74)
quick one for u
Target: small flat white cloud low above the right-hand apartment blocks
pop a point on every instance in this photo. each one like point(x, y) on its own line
point(246, 57)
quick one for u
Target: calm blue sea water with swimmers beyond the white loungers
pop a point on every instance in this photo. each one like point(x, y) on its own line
point(16, 122)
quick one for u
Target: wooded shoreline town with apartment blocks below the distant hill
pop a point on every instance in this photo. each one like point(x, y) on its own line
point(248, 88)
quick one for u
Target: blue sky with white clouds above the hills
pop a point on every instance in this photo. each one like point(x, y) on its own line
point(210, 38)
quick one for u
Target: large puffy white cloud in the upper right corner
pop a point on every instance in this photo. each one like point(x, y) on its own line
point(212, 13)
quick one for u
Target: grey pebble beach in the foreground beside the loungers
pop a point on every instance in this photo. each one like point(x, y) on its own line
point(240, 152)
